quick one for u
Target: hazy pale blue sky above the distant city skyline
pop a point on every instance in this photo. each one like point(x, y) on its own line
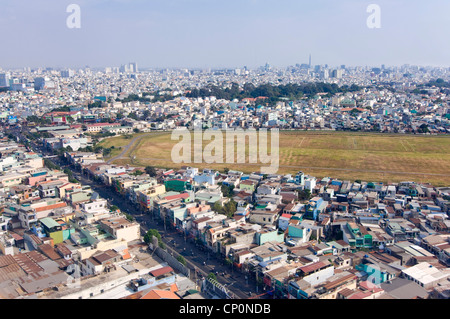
point(226, 33)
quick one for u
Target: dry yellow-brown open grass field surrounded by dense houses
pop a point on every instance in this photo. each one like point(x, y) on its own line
point(344, 155)
